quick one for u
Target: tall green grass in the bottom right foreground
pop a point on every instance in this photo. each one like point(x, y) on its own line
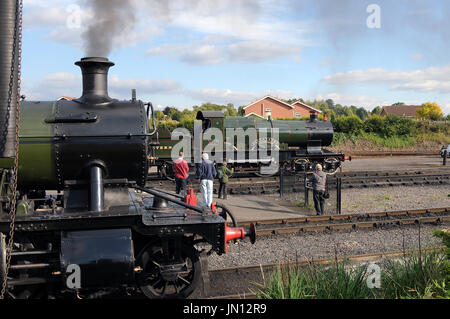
point(421, 275)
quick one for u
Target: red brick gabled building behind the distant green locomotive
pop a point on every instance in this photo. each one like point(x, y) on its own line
point(269, 105)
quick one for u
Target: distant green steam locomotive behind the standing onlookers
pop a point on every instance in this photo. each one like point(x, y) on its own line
point(300, 144)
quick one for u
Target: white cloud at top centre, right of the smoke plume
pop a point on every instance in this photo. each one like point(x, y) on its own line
point(252, 20)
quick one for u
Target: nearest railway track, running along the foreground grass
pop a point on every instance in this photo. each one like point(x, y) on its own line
point(247, 276)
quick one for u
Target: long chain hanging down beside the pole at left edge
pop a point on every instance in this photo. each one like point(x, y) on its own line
point(17, 44)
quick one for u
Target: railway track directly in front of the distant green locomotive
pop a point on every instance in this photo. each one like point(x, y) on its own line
point(295, 183)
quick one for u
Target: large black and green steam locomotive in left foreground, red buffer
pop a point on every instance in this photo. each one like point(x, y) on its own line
point(79, 219)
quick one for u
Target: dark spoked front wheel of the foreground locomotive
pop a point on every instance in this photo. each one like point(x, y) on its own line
point(163, 277)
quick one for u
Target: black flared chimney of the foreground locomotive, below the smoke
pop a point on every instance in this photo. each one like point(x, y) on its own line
point(95, 80)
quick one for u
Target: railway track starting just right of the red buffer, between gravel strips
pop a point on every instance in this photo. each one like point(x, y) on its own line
point(350, 221)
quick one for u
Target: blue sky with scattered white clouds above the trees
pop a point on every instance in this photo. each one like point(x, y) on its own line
point(186, 52)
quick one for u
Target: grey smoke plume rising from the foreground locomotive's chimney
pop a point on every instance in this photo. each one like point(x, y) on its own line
point(111, 21)
